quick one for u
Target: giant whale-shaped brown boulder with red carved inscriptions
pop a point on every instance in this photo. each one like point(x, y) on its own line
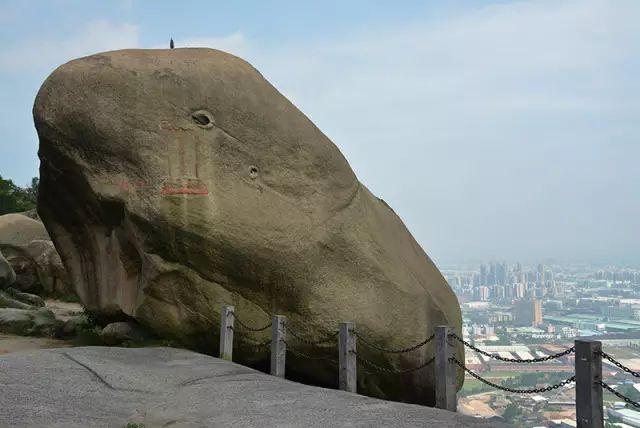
point(176, 181)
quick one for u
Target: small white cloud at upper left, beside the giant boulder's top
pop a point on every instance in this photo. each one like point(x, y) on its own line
point(36, 55)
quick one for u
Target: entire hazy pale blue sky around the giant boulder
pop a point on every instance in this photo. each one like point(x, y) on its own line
point(497, 130)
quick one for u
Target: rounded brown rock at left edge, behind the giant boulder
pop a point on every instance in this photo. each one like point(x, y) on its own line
point(32, 255)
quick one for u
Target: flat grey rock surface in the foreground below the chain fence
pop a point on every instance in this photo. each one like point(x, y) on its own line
point(158, 387)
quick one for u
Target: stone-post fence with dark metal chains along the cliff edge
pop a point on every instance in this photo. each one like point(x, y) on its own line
point(590, 385)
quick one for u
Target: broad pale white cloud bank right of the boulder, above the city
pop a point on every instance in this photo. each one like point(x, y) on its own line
point(489, 132)
